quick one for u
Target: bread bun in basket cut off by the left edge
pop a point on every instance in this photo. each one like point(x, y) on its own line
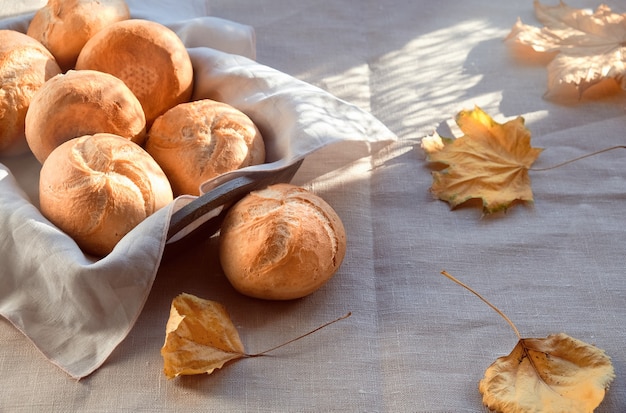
point(25, 65)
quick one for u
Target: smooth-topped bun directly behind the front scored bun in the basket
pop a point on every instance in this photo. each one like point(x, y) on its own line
point(82, 102)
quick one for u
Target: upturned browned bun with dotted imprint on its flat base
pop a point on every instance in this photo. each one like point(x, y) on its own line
point(148, 57)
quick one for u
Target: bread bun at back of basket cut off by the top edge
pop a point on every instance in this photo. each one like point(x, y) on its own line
point(64, 26)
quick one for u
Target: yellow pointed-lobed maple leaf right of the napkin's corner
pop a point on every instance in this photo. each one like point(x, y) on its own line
point(489, 162)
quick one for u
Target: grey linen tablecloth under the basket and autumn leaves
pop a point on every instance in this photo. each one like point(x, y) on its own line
point(416, 342)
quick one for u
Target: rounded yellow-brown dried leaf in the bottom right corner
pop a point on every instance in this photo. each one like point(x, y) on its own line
point(553, 374)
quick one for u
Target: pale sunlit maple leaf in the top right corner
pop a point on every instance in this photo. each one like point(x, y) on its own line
point(586, 47)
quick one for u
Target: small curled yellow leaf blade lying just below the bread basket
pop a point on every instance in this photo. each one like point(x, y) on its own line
point(200, 337)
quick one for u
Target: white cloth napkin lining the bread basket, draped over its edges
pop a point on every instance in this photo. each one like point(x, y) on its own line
point(77, 309)
